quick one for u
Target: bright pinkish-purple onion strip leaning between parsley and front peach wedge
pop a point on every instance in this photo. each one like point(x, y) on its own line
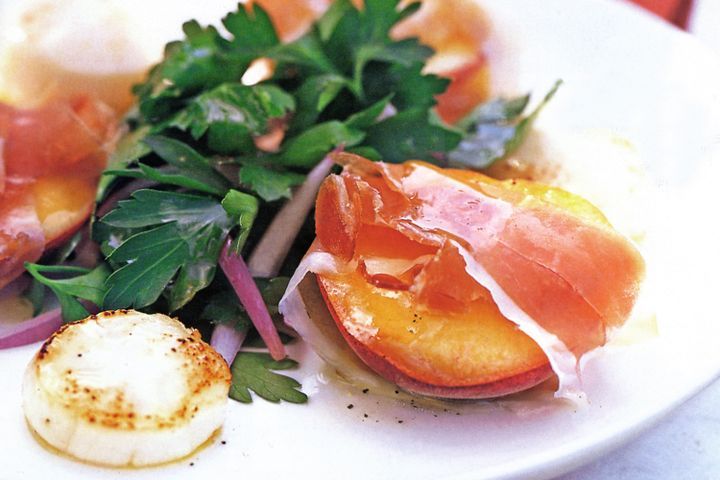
point(242, 281)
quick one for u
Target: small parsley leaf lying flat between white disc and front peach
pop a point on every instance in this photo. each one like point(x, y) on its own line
point(254, 371)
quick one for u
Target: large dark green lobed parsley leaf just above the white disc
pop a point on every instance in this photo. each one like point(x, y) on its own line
point(188, 242)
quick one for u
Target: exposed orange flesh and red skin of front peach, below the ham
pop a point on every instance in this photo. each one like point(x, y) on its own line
point(428, 352)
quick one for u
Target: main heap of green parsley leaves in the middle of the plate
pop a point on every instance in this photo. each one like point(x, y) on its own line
point(195, 129)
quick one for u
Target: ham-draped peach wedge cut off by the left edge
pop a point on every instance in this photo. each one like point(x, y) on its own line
point(51, 160)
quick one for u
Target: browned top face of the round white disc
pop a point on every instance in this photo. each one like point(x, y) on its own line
point(131, 371)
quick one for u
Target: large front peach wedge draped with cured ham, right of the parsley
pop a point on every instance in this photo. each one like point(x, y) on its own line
point(465, 250)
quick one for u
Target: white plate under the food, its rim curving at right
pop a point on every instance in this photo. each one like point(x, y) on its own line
point(622, 70)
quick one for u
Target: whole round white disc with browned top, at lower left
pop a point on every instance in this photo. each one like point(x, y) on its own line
point(125, 388)
